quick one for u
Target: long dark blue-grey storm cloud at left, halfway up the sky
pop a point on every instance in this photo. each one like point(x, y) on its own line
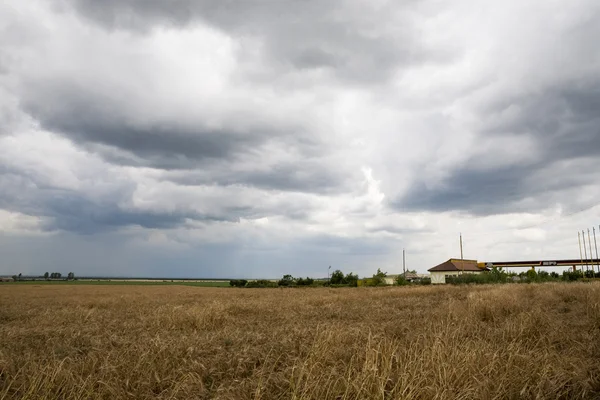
point(87, 117)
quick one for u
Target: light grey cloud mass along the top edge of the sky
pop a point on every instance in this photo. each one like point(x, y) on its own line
point(359, 42)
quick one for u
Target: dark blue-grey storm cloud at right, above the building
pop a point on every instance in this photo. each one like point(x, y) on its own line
point(564, 125)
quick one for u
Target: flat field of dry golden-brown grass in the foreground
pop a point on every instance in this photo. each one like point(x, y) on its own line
point(476, 342)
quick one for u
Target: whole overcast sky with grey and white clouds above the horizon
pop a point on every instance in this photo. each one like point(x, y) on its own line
point(219, 138)
